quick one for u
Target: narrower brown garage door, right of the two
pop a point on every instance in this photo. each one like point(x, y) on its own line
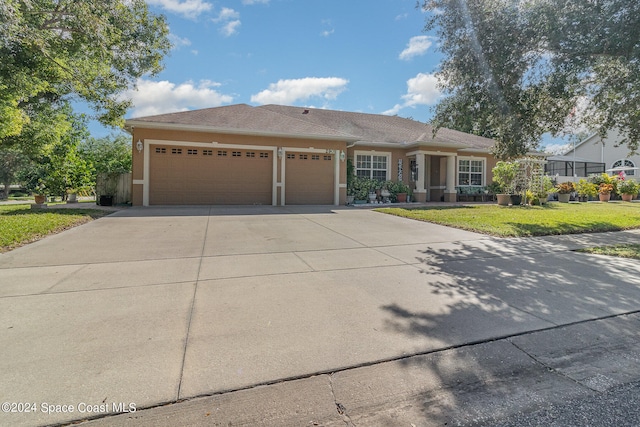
point(309, 179)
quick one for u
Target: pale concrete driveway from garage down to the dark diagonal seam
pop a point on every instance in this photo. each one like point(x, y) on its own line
point(155, 305)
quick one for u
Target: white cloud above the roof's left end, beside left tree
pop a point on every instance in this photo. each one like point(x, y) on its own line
point(161, 97)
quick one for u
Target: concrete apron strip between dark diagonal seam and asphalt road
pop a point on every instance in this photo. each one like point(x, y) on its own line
point(492, 383)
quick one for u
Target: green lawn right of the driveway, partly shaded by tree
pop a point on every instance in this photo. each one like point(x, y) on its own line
point(522, 221)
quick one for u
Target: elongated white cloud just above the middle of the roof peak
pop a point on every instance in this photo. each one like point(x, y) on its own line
point(294, 90)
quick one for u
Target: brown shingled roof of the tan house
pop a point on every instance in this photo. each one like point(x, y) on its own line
point(286, 121)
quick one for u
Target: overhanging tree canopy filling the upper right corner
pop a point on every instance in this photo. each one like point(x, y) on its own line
point(516, 69)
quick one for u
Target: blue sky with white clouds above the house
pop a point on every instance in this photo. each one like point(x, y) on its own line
point(371, 57)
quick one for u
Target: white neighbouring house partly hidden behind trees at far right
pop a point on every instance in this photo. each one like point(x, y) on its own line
point(601, 150)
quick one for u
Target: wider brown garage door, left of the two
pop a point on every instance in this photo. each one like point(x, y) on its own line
point(209, 176)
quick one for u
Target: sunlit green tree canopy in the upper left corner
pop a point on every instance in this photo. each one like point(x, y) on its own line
point(93, 50)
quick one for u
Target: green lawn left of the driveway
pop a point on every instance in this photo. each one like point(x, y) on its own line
point(20, 225)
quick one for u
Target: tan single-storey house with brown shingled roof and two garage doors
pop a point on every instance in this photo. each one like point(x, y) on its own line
point(278, 155)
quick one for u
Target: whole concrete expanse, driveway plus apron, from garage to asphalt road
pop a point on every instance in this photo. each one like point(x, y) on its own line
point(308, 316)
